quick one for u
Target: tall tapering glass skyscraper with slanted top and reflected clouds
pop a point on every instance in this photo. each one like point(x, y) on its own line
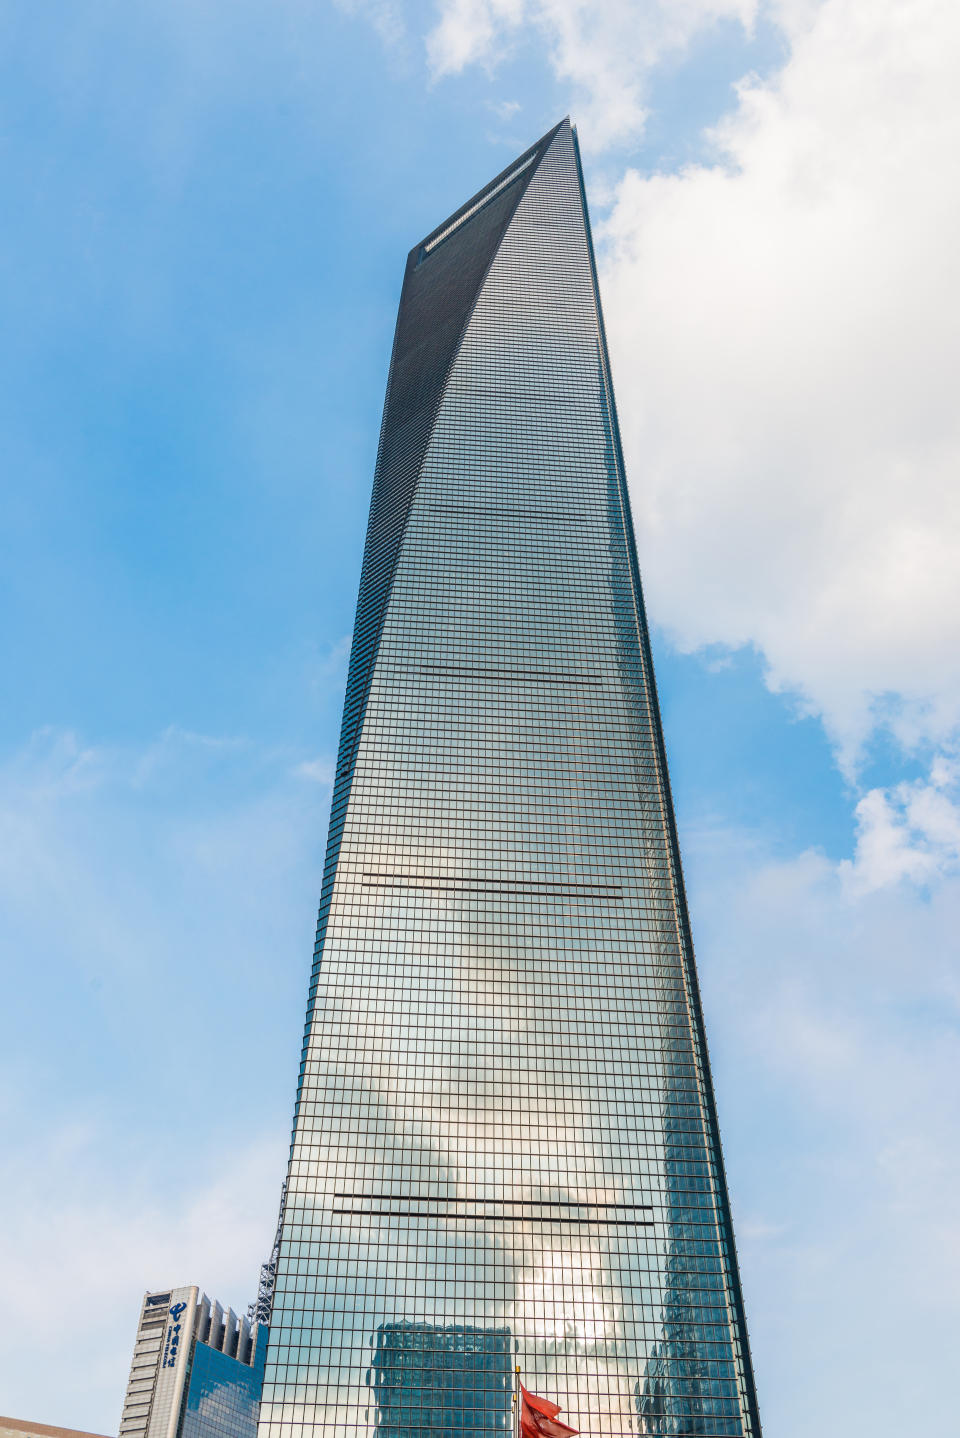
point(505, 1148)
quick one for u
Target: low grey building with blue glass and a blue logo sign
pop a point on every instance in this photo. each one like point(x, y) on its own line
point(198, 1371)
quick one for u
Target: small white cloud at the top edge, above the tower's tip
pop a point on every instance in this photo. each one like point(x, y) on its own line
point(603, 52)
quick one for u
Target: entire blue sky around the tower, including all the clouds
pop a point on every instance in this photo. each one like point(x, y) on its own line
point(208, 208)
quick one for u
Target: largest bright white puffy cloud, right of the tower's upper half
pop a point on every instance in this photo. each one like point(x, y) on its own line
point(787, 336)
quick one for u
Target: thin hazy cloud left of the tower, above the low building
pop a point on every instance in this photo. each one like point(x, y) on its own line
point(156, 930)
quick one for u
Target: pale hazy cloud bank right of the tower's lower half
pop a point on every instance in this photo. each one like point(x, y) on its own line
point(834, 1027)
